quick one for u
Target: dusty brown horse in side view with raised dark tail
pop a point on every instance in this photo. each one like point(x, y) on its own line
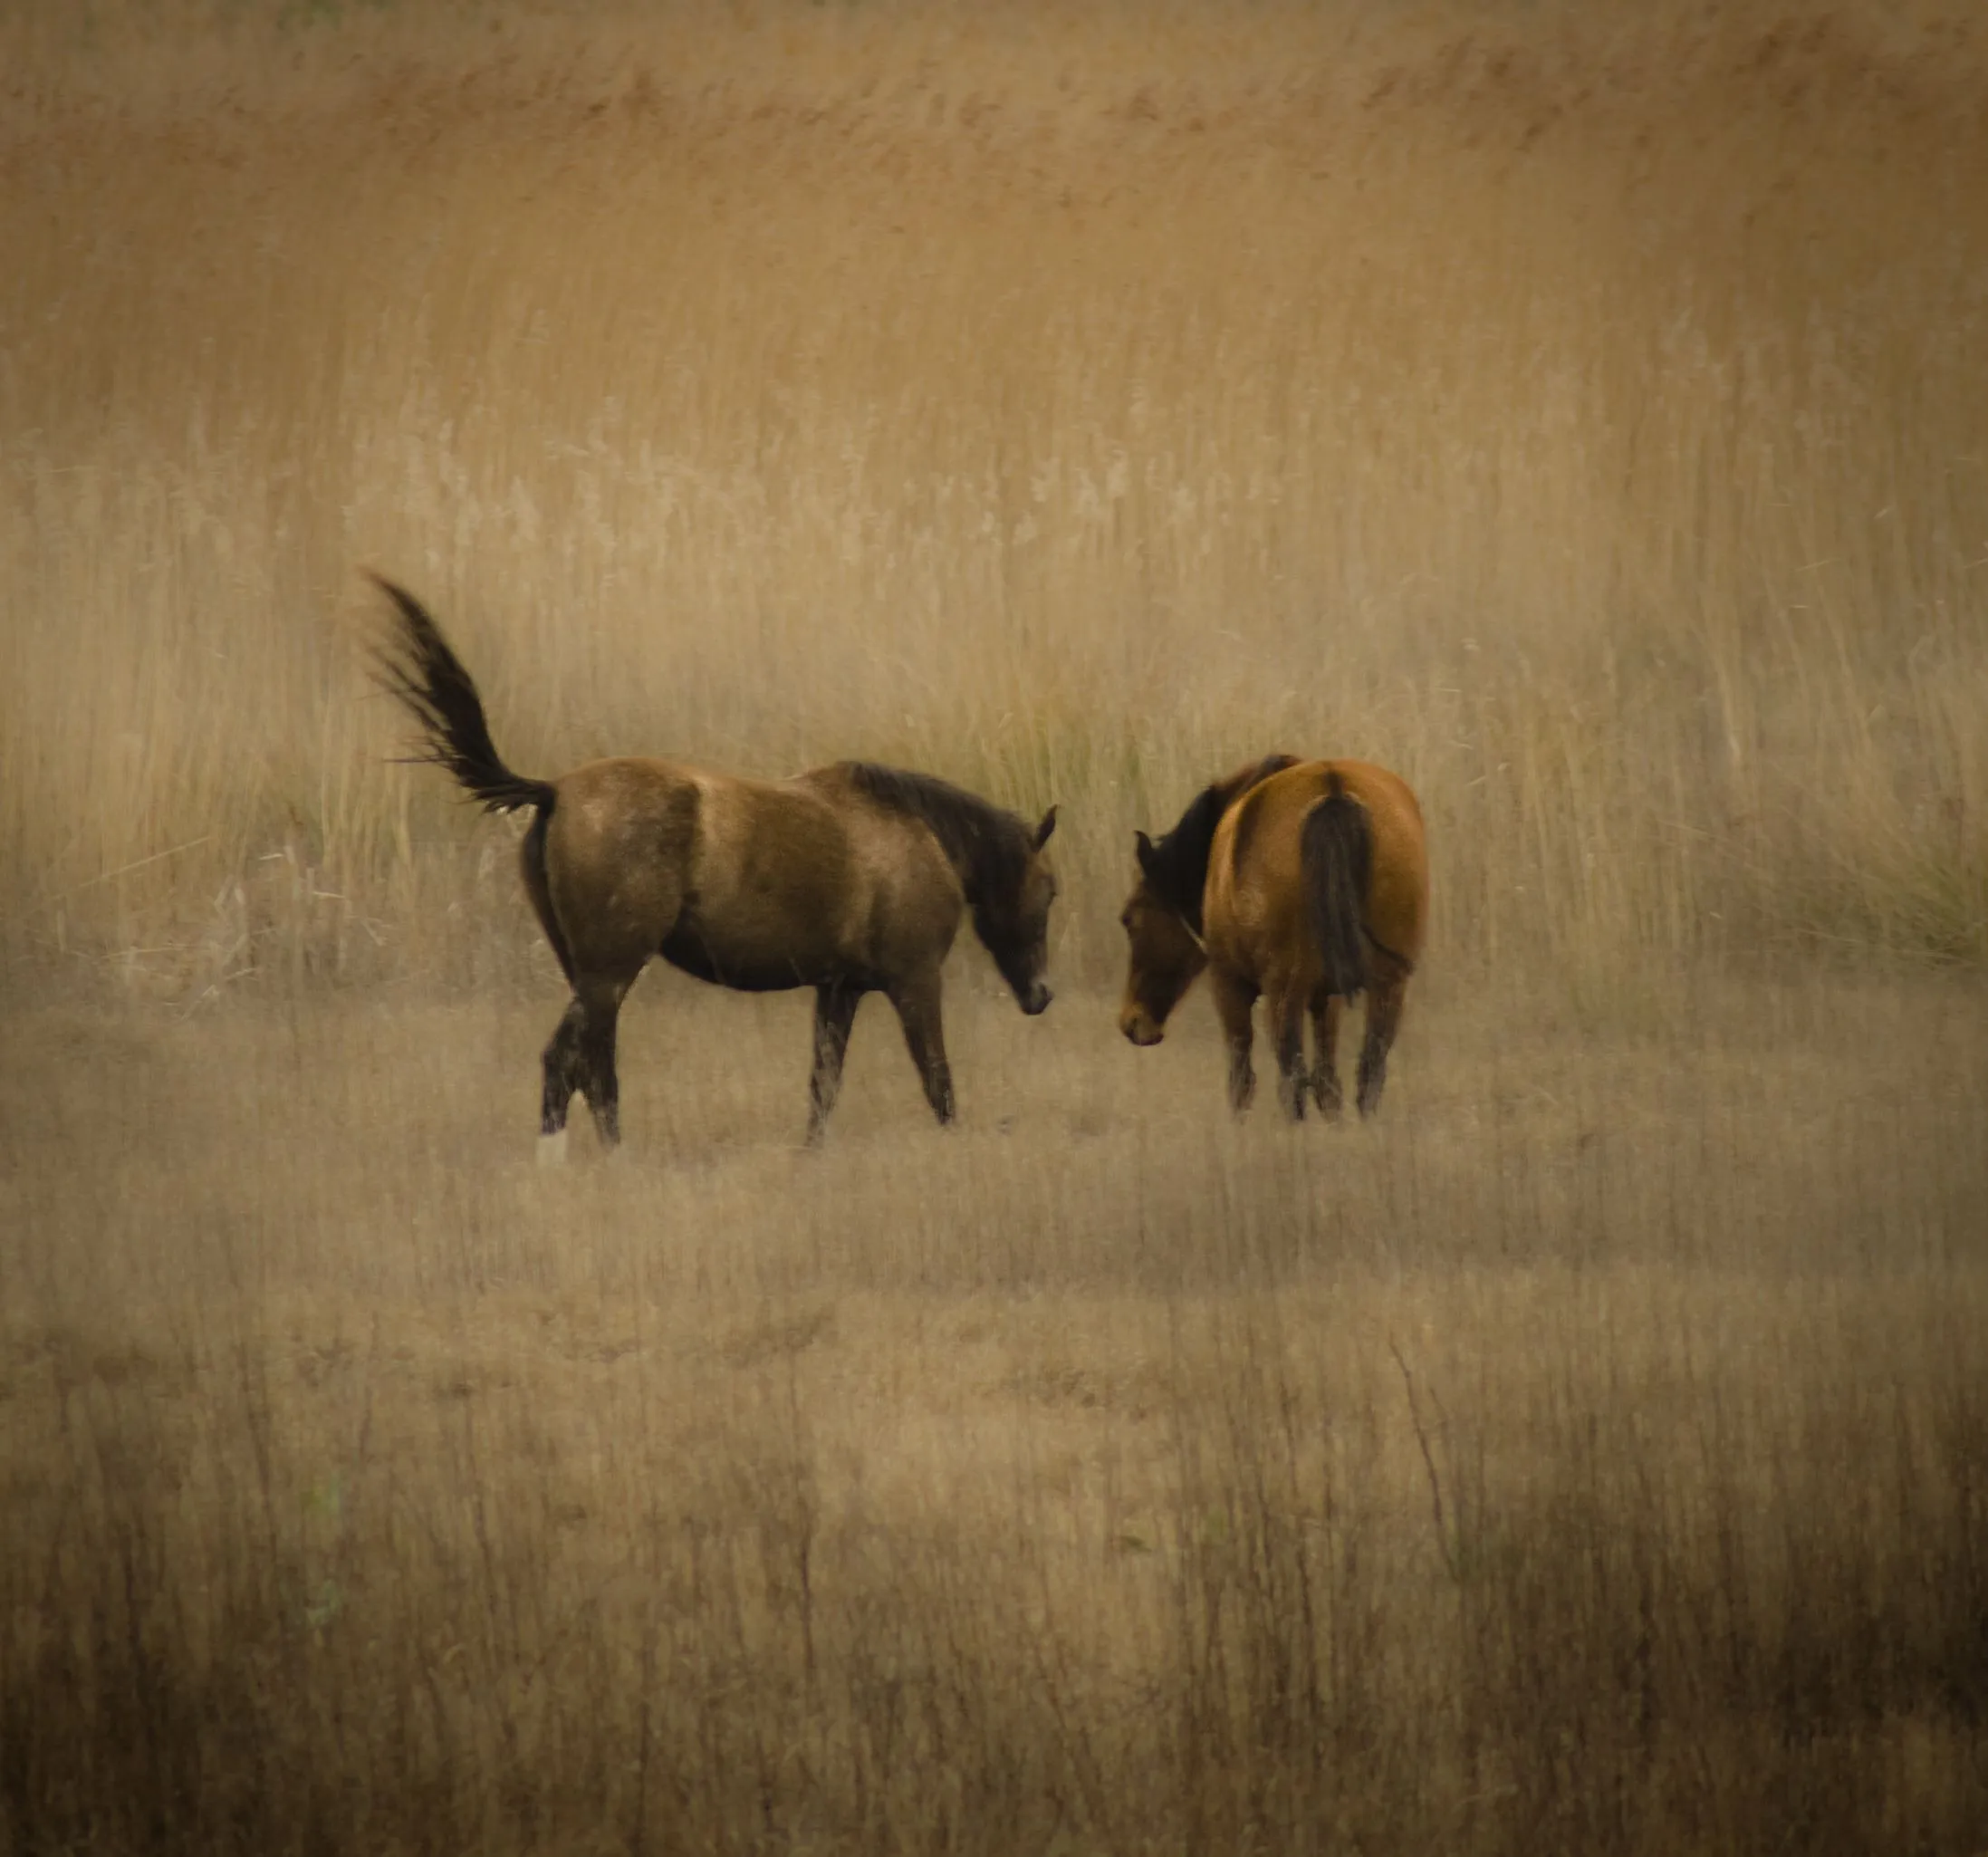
point(850, 880)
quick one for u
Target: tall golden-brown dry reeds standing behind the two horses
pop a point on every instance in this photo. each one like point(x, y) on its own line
point(1574, 409)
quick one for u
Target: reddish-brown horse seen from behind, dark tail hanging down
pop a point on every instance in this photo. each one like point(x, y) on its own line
point(1301, 882)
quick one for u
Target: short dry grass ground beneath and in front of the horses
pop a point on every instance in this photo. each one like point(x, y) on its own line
point(1585, 1458)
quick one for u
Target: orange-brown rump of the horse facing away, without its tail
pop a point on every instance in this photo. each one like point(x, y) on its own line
point(1255, 902)
